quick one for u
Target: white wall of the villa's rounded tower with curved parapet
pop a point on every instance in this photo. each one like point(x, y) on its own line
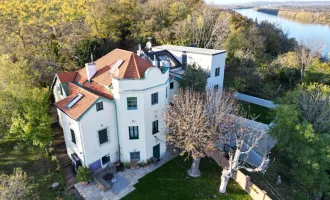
point(154, 82)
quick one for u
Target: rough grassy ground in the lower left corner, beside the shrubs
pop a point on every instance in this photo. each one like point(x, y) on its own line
point(41, 171)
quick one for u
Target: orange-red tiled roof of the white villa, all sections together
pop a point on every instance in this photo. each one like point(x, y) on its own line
point(133, 66)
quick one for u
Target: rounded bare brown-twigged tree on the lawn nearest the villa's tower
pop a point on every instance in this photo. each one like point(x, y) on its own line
point(192, 120)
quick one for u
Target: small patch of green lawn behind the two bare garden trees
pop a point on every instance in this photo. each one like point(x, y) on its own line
point(263, 114)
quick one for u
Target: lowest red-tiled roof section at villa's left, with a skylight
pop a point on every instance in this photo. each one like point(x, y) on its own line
point(81, 106)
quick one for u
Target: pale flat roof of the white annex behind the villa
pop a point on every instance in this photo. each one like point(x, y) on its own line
point(190, 49)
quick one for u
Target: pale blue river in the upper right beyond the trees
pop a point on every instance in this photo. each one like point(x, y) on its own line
point(298, 30)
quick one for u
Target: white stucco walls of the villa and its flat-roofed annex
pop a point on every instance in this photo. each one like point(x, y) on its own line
point(119, 119)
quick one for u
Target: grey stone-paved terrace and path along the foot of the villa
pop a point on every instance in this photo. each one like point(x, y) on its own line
point(91, 192)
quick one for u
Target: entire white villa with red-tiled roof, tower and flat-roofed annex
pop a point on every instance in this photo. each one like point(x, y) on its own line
point(112, 108)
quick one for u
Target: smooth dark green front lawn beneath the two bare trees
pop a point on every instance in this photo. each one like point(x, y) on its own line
point(171, 182)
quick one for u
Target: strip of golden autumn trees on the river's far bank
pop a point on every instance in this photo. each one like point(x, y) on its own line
point(298, 15)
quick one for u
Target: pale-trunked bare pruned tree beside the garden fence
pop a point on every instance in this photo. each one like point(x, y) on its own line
point(246, 136)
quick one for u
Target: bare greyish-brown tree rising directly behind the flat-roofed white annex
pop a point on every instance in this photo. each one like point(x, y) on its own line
point(205, 27)
